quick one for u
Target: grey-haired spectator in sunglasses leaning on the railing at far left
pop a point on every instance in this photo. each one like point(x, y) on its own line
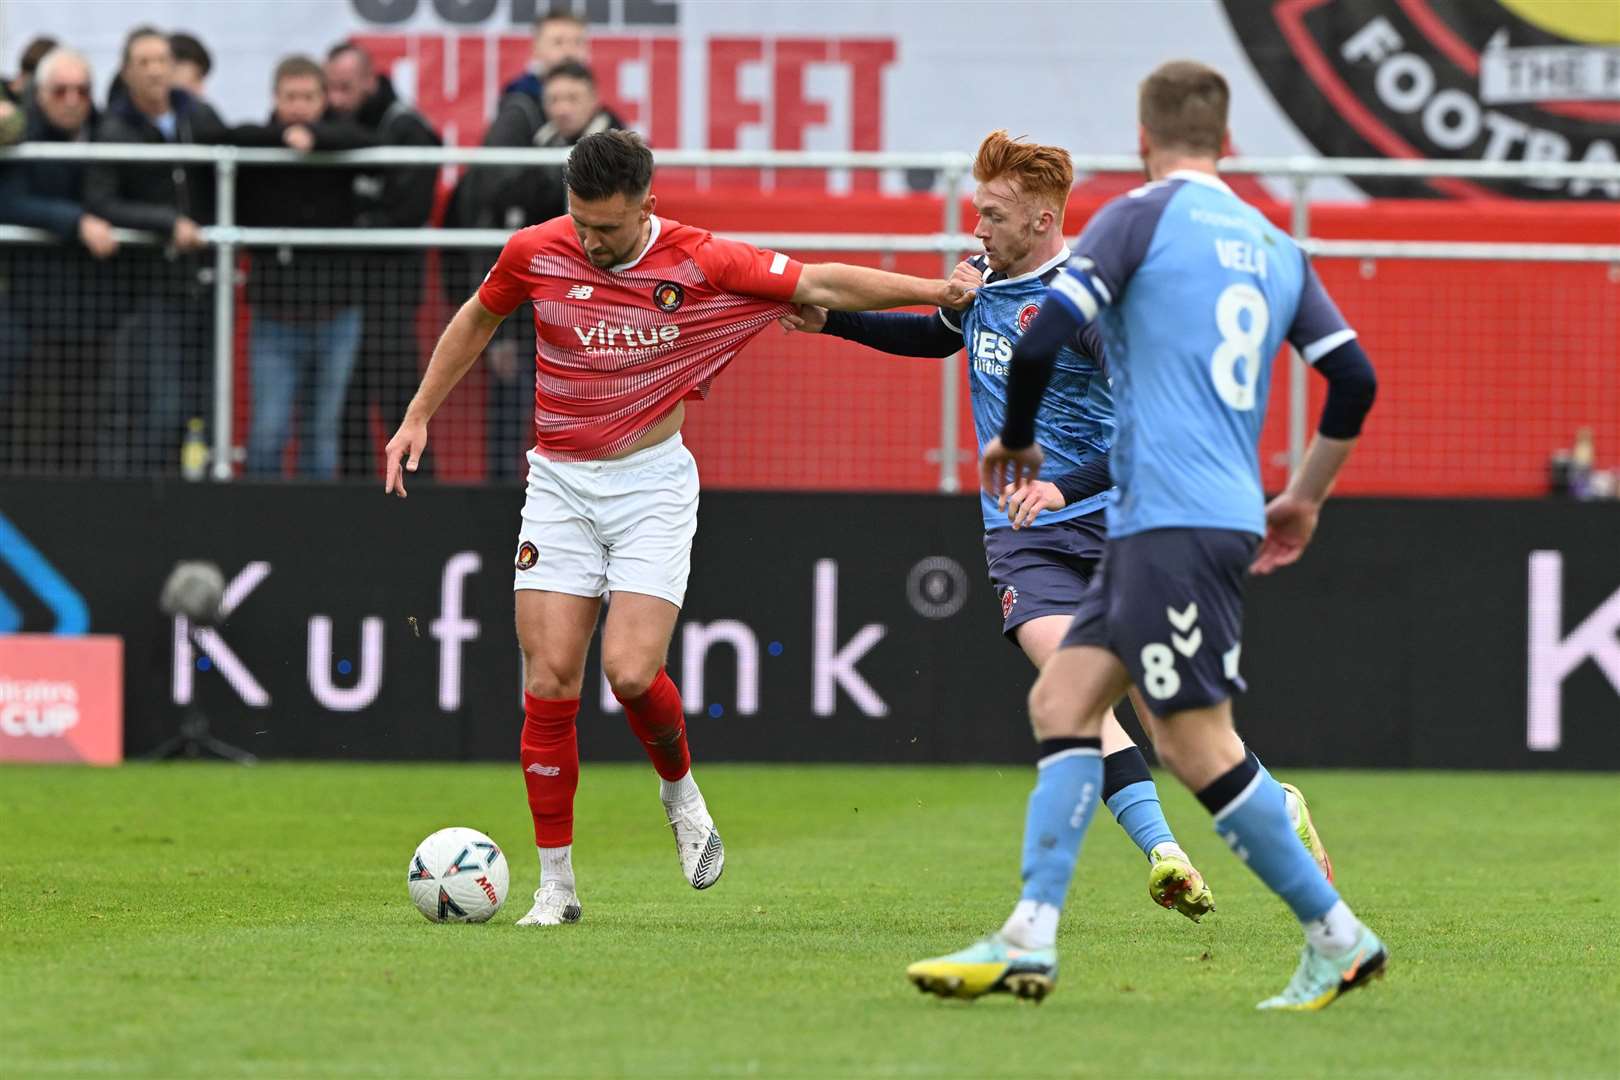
point(46, 338)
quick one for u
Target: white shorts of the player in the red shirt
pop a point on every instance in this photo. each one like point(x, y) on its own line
point(612, 527)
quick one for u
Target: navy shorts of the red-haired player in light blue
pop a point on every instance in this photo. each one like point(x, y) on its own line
point(1044, 571)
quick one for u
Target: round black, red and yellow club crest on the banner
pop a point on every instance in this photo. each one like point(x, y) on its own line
point(1491, 80)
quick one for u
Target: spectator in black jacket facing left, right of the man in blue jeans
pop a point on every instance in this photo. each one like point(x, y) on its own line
point(388, 283)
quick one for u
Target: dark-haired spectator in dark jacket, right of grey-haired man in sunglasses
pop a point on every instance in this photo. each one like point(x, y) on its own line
point(161, 349)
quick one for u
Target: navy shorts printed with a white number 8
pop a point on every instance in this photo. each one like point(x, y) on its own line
point(1169, 603)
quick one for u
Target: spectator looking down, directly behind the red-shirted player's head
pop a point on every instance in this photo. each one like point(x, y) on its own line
point(573, 113)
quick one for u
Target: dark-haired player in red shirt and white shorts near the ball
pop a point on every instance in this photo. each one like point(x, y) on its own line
point(634, 315)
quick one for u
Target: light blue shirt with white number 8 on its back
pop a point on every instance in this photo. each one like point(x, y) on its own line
point(1195, 292)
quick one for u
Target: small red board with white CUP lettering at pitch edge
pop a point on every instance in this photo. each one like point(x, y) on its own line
point(62, 699)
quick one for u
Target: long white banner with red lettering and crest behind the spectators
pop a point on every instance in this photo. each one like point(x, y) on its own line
point(1496, 80)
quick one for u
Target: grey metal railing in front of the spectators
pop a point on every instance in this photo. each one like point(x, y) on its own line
point(228, 239)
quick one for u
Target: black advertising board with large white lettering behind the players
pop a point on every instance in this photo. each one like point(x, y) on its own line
point(819, 627)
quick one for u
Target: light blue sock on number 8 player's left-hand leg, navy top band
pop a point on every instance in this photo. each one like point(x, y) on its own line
point(1068, 783)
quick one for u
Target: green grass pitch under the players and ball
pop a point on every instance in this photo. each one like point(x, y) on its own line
point(223, 922)
